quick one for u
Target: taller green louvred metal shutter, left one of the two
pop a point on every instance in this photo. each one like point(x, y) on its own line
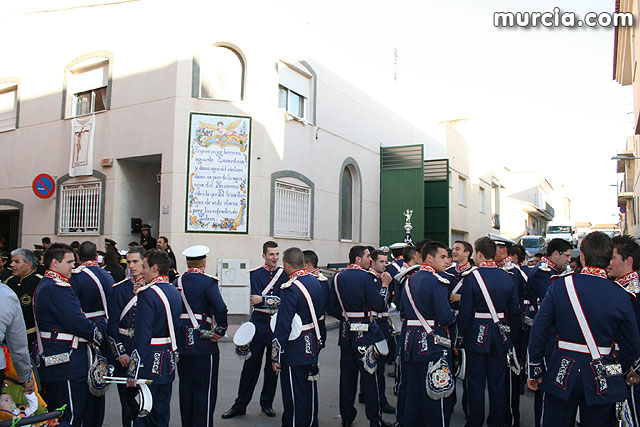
point(401, 188)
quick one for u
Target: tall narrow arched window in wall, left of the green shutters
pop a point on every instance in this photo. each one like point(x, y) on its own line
point(350, 201)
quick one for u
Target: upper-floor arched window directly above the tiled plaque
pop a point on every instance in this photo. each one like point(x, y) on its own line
point(221, 74)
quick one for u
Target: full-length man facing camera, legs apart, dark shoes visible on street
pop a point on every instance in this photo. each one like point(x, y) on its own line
point(265, 291)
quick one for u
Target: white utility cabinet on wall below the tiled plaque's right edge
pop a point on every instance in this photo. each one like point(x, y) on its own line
point(234, 284)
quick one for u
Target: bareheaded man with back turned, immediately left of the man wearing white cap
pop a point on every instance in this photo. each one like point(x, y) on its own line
point(154, 340)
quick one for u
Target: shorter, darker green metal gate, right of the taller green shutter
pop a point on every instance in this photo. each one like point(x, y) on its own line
point(436, 200)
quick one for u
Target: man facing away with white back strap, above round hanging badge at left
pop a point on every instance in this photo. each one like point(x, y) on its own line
point(93, 286)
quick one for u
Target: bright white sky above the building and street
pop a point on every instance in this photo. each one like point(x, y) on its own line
point(536, 98)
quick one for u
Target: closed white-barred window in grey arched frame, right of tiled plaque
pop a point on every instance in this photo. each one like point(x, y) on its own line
point(292, 210)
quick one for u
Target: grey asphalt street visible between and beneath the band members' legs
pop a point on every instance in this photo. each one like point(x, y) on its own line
point(230, 368)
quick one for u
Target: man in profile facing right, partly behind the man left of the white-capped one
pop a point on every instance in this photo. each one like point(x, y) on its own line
point(122, 310)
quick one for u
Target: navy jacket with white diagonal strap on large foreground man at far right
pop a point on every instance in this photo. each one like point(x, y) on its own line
point(609, 313)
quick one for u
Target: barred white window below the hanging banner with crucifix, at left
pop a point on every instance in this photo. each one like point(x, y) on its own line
point(80, 208)
